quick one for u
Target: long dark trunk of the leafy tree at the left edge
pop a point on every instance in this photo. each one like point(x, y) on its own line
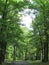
point(3, 43)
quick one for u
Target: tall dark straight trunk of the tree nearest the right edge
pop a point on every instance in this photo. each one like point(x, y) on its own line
point(46, 36)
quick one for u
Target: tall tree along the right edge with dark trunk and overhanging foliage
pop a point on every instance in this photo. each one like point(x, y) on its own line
point(41, 9)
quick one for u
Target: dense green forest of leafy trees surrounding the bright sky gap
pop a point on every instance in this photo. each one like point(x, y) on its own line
point(18, 42)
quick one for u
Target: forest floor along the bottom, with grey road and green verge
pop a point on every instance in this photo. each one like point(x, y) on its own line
point(27, 63)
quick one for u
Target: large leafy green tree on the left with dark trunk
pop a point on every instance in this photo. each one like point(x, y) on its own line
point(9, 28)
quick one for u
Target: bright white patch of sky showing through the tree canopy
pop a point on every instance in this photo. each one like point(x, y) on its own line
point(27, 17)
